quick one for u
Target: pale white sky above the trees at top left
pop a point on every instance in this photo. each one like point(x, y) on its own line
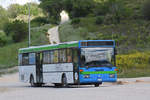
point(6, 3)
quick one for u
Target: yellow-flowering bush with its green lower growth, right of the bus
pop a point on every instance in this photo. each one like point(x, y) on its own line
point(134, 65)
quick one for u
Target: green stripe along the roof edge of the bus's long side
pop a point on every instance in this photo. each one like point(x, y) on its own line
point(48, 48)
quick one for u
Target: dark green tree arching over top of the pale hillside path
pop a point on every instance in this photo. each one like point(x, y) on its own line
point(75, 8)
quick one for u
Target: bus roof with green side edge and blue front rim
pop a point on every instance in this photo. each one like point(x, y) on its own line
point(60, 45)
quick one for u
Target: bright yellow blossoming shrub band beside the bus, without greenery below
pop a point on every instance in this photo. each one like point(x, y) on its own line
point(133, 61)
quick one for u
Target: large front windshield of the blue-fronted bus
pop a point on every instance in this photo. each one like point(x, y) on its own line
point(97, 57)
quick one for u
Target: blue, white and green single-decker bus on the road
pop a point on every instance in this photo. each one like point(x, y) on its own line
point(84, 62)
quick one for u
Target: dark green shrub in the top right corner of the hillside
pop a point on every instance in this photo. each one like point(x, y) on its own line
point(146, 9)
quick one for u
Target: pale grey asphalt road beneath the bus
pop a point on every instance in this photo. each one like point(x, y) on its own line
point(130, 89)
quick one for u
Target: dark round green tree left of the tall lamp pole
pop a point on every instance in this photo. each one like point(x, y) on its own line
point(17, 29)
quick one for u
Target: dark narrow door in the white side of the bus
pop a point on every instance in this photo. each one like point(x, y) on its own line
point(39, 69)
